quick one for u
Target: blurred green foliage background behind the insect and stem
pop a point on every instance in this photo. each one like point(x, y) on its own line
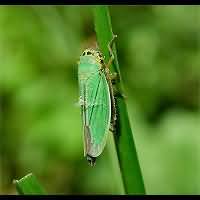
point(41, 132)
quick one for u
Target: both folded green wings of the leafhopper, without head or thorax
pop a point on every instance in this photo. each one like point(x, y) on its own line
point(96, 112)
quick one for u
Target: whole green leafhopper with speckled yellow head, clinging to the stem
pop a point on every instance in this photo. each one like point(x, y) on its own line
point(97, 101)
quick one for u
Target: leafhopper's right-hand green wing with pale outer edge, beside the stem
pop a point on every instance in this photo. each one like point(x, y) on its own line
point(99, 112)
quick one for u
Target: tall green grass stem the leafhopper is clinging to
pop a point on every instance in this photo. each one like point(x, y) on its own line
point(126, 150)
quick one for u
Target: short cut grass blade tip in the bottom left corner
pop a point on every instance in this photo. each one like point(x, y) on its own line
point(28, 185)
